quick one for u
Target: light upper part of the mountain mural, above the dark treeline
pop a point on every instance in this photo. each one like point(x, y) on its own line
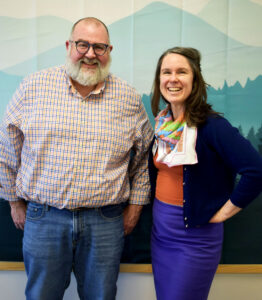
point(33, 39)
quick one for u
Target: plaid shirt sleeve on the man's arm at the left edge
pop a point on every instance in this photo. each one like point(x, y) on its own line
point(11, 142)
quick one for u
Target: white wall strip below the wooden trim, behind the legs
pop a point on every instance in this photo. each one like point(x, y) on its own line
point(140, 287)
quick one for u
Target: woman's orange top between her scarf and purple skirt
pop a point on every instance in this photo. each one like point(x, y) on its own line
point(169, 183)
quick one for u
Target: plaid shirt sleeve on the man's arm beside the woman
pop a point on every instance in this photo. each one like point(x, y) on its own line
point(140, 187)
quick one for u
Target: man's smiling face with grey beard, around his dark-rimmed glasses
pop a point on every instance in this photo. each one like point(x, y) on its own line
point(88, 69)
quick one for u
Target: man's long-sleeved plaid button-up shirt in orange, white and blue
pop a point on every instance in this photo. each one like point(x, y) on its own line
point(60, 149)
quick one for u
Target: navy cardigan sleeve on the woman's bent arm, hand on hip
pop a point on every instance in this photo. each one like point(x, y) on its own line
point(238, 153)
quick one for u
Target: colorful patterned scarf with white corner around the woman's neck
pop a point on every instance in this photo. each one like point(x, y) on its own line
point(175, 141)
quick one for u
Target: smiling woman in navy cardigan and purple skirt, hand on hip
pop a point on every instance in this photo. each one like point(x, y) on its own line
point(195, 157)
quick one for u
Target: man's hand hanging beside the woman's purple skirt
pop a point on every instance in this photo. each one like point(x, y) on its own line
point(131, 215)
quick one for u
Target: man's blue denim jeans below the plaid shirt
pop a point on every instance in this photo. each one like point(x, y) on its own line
point(87, 242)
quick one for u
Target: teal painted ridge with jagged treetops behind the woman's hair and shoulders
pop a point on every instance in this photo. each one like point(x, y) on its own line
point(240, 105)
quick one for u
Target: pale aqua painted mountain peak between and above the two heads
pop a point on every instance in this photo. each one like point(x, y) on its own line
point(147, 33)
